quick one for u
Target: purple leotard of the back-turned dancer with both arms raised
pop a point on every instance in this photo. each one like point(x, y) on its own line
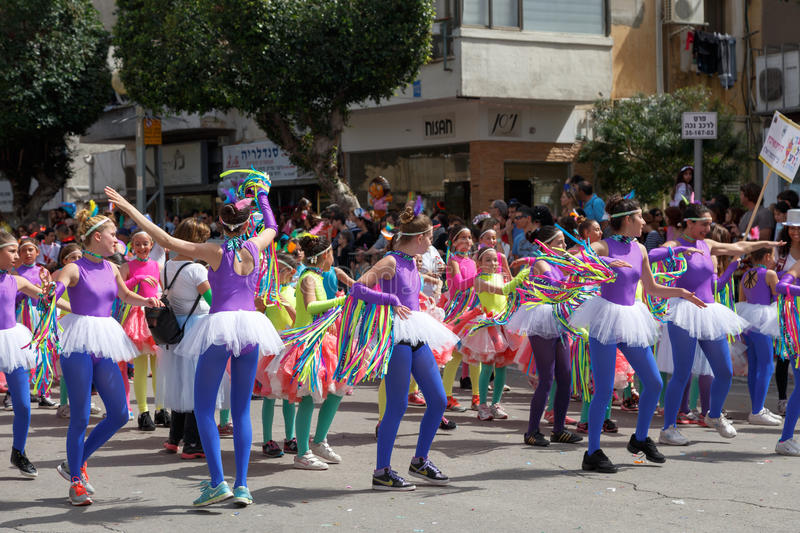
point(233, 292)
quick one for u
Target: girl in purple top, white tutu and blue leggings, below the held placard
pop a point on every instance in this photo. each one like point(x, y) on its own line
point(757, 287)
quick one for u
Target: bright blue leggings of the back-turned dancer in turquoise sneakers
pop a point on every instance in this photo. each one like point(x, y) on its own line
point(210, 368)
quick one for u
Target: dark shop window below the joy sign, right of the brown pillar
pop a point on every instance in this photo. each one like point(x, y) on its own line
point(536, 183)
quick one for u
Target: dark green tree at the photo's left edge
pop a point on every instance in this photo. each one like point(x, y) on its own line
point(54, 82)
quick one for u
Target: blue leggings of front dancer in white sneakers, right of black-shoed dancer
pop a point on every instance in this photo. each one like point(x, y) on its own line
point(683, 348)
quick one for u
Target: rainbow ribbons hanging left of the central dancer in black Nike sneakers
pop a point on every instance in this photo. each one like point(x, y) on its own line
point(366, 339)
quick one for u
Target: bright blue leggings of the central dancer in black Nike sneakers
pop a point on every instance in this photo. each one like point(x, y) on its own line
point(404, 362)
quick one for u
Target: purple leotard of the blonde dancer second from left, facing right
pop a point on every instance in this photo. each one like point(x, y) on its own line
point(96, 289)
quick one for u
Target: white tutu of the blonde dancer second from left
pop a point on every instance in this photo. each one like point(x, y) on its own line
point(101, 336)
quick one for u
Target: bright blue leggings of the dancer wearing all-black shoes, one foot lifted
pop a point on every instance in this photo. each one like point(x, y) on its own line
point(603, 359)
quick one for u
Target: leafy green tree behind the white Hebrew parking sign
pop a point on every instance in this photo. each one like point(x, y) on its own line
point(637, 144)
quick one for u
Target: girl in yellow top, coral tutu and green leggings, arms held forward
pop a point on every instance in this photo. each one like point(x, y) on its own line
point(494, 346)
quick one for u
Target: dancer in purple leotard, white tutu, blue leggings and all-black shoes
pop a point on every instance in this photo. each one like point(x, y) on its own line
point(615, 319)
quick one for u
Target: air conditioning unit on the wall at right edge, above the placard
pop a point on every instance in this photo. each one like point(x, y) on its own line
point(778, 81)
